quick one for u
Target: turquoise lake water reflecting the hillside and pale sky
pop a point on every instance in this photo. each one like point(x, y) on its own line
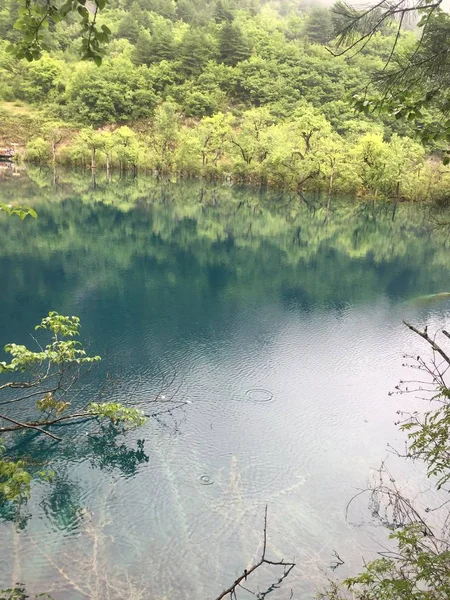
point(277, 324)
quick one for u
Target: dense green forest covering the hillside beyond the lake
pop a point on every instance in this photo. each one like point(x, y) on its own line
point(242, 91)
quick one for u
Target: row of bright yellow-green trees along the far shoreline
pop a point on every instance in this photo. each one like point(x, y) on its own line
point(302, 152)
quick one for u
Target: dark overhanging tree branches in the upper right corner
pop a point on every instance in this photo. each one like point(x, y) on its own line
point(410, 81)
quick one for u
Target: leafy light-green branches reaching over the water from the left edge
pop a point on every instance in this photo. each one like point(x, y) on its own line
point(45, 377)
